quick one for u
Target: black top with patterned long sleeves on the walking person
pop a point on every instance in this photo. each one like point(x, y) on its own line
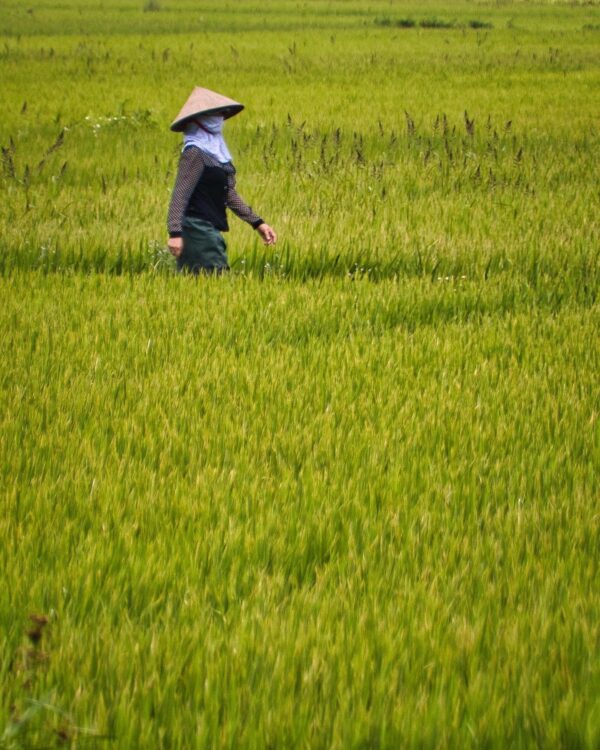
point(204, 187)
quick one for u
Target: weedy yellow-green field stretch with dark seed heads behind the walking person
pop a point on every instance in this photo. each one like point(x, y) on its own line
point(367, 149)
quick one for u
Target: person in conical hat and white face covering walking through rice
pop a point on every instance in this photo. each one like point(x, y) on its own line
point(205, 187)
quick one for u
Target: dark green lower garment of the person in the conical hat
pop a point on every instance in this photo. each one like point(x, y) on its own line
point(204, 249)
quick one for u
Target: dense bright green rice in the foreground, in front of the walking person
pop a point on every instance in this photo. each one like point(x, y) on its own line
point(332, 489)
